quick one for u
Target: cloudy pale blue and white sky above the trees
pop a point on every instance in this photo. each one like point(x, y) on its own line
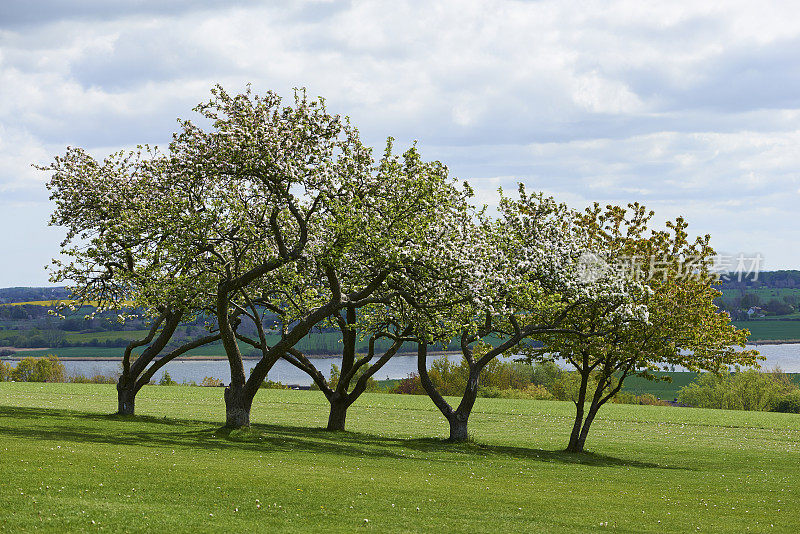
point(692, 108)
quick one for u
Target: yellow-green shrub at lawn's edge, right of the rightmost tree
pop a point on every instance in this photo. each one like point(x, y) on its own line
point(748, 390)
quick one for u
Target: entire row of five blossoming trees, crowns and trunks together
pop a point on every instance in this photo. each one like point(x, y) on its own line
point(266, 212)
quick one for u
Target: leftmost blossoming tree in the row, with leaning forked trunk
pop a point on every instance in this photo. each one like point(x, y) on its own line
point(115, 251)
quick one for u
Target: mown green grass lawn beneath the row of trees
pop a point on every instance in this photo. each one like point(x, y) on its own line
point(66, 466)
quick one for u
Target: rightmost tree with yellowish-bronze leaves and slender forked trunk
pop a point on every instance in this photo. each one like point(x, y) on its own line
point(661, 313)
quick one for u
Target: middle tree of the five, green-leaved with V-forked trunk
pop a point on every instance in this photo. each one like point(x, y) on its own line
point(377, 239)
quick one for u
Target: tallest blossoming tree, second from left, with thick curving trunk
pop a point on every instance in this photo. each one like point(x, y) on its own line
point(254, 194)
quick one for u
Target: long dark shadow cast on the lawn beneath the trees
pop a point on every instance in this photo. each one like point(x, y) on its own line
point(65, 426)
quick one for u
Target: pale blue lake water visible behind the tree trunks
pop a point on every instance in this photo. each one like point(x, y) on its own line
point(787, 357)
